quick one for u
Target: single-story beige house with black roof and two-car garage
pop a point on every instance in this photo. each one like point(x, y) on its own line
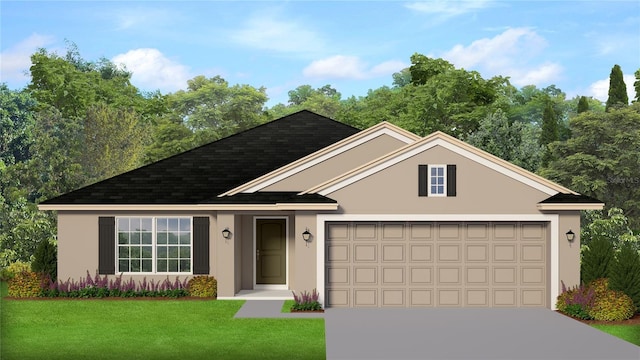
point(373, 218)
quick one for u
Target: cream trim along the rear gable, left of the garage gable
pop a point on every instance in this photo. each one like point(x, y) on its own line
point(383, 128)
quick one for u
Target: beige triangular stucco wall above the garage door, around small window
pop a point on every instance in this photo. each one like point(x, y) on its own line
point(480, 190)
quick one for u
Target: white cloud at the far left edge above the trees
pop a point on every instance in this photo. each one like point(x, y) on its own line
point(16, 60)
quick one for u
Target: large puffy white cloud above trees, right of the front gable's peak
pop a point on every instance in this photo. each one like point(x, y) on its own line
point(511, 53)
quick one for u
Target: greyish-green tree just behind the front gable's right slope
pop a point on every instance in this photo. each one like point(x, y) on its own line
point(515, 142)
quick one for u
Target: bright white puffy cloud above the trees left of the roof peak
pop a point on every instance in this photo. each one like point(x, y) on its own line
point(152, 70)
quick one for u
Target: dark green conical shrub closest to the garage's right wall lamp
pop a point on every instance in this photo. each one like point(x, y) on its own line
point(596, 260)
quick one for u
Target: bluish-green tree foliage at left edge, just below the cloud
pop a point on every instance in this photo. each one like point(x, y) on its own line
point(16, 123)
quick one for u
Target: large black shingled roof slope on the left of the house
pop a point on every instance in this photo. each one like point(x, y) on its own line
point(197, 176)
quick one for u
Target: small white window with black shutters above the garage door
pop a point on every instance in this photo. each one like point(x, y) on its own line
point(437, 180)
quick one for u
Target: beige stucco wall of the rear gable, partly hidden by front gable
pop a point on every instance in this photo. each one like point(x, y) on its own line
point(338, 164)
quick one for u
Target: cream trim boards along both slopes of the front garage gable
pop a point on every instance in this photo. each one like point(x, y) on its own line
point(440, 139)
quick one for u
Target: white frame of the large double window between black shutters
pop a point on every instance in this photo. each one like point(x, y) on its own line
point(154, 246)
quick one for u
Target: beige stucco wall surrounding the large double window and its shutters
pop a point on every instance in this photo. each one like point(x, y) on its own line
point(78, 242)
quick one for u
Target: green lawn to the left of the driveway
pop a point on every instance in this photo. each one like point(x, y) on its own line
point(150, 329)
